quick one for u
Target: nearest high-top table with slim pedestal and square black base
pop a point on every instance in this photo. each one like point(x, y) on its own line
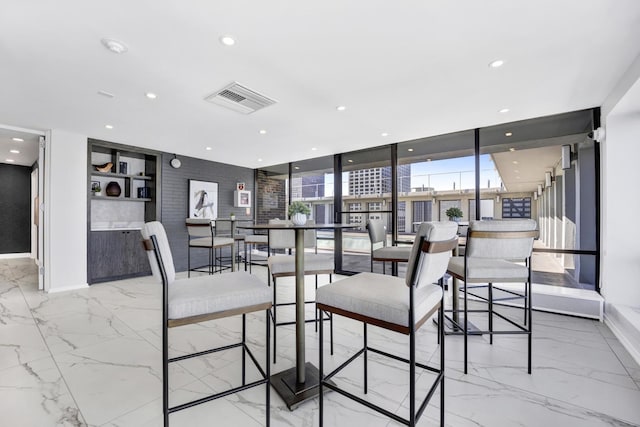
point(300, 383)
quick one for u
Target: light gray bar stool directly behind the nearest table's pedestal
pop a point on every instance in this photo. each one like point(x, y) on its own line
point(285, 266)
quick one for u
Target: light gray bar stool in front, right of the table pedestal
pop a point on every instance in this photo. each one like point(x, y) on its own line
point(395, 304)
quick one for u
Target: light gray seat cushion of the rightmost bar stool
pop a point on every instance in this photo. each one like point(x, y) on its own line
point(489, 270)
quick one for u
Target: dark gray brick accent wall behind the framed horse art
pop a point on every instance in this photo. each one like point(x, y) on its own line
point(175, 200)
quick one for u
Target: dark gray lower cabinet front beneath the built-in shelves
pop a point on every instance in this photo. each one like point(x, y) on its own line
point(115, 255)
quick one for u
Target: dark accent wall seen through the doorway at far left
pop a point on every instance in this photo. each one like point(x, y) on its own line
point(15, 209)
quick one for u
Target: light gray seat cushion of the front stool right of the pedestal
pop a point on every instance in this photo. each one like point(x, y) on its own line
point(381, 297)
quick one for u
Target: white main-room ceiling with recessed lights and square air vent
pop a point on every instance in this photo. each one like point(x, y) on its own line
point(412, 69)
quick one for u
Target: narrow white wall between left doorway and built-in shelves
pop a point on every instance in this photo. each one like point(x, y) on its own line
point(65, 211)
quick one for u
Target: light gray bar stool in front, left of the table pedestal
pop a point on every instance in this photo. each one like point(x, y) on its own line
point(200, 299)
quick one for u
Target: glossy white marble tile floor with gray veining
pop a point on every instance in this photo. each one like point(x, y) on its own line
point(92, 358)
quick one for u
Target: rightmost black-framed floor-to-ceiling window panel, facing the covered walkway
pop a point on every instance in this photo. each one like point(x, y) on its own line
point(528, 157)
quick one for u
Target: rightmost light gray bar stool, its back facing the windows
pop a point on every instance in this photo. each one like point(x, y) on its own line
point(497, 251)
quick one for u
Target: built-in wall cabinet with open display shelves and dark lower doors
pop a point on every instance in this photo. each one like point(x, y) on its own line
point(114, 242)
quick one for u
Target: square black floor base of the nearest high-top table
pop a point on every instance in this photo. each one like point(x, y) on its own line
point(293, 393)
